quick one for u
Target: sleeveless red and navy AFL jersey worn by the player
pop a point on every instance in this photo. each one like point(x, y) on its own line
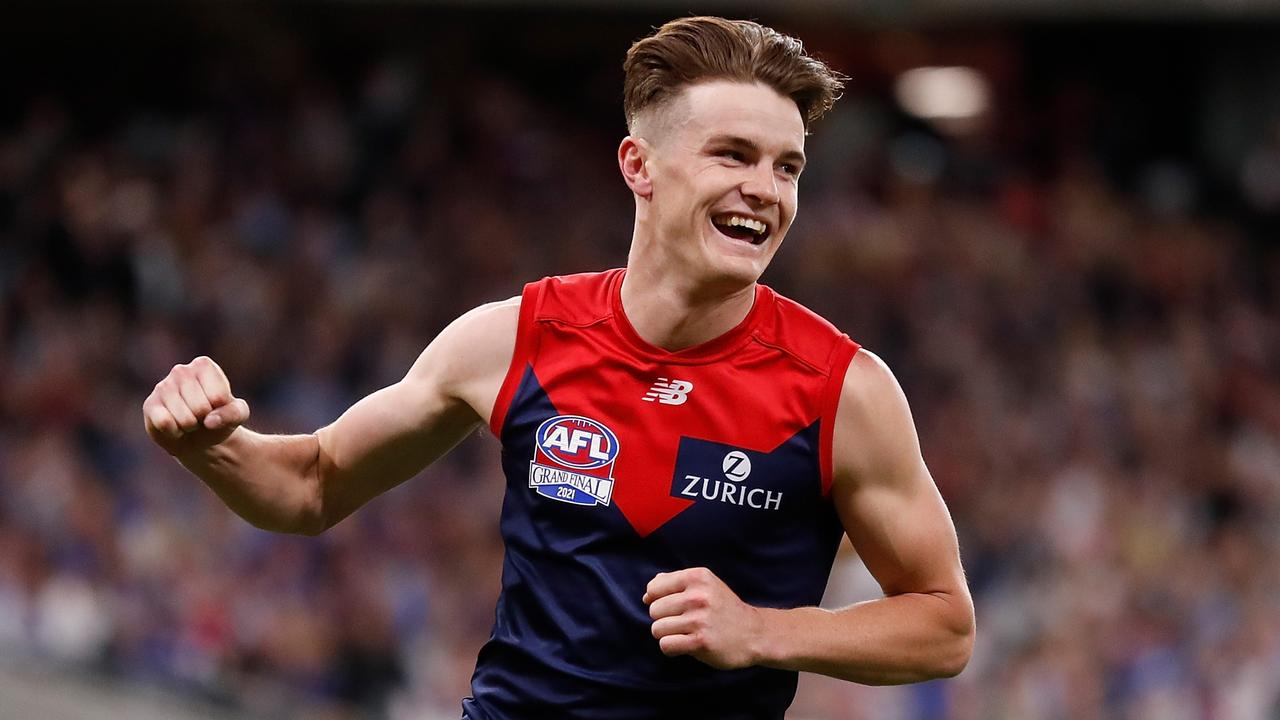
point(625, 461)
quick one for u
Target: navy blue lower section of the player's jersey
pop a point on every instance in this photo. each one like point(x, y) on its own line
point(572, 637)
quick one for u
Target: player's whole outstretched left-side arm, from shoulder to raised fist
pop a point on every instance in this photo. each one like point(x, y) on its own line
point(308, 484)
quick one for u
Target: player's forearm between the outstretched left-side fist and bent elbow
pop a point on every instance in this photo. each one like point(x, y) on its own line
point(269, 481)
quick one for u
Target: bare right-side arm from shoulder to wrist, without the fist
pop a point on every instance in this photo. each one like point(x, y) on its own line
point(925, 626)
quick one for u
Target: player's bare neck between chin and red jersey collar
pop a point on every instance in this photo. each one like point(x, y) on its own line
point(674, 313)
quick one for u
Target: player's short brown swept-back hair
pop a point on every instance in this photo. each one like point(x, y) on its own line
point(689, 51)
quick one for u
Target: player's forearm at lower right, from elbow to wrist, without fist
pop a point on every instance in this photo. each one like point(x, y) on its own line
point(897, 640)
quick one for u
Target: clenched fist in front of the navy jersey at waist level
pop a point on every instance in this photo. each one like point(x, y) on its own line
point(697, 614)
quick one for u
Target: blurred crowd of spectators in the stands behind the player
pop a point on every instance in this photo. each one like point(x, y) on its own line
point(1095, 375)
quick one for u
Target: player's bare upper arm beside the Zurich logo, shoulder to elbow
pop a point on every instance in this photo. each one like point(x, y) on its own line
point(888, 502)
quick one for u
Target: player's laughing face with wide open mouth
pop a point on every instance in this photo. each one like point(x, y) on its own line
point(723, 163)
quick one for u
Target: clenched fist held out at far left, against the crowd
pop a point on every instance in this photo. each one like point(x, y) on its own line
point(193, 408)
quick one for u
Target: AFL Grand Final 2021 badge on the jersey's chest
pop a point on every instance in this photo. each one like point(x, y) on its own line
point(574, 461)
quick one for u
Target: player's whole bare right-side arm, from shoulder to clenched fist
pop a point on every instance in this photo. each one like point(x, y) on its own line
point(924, 627)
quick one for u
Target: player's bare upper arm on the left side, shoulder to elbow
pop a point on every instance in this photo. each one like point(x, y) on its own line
point(396, 432)
